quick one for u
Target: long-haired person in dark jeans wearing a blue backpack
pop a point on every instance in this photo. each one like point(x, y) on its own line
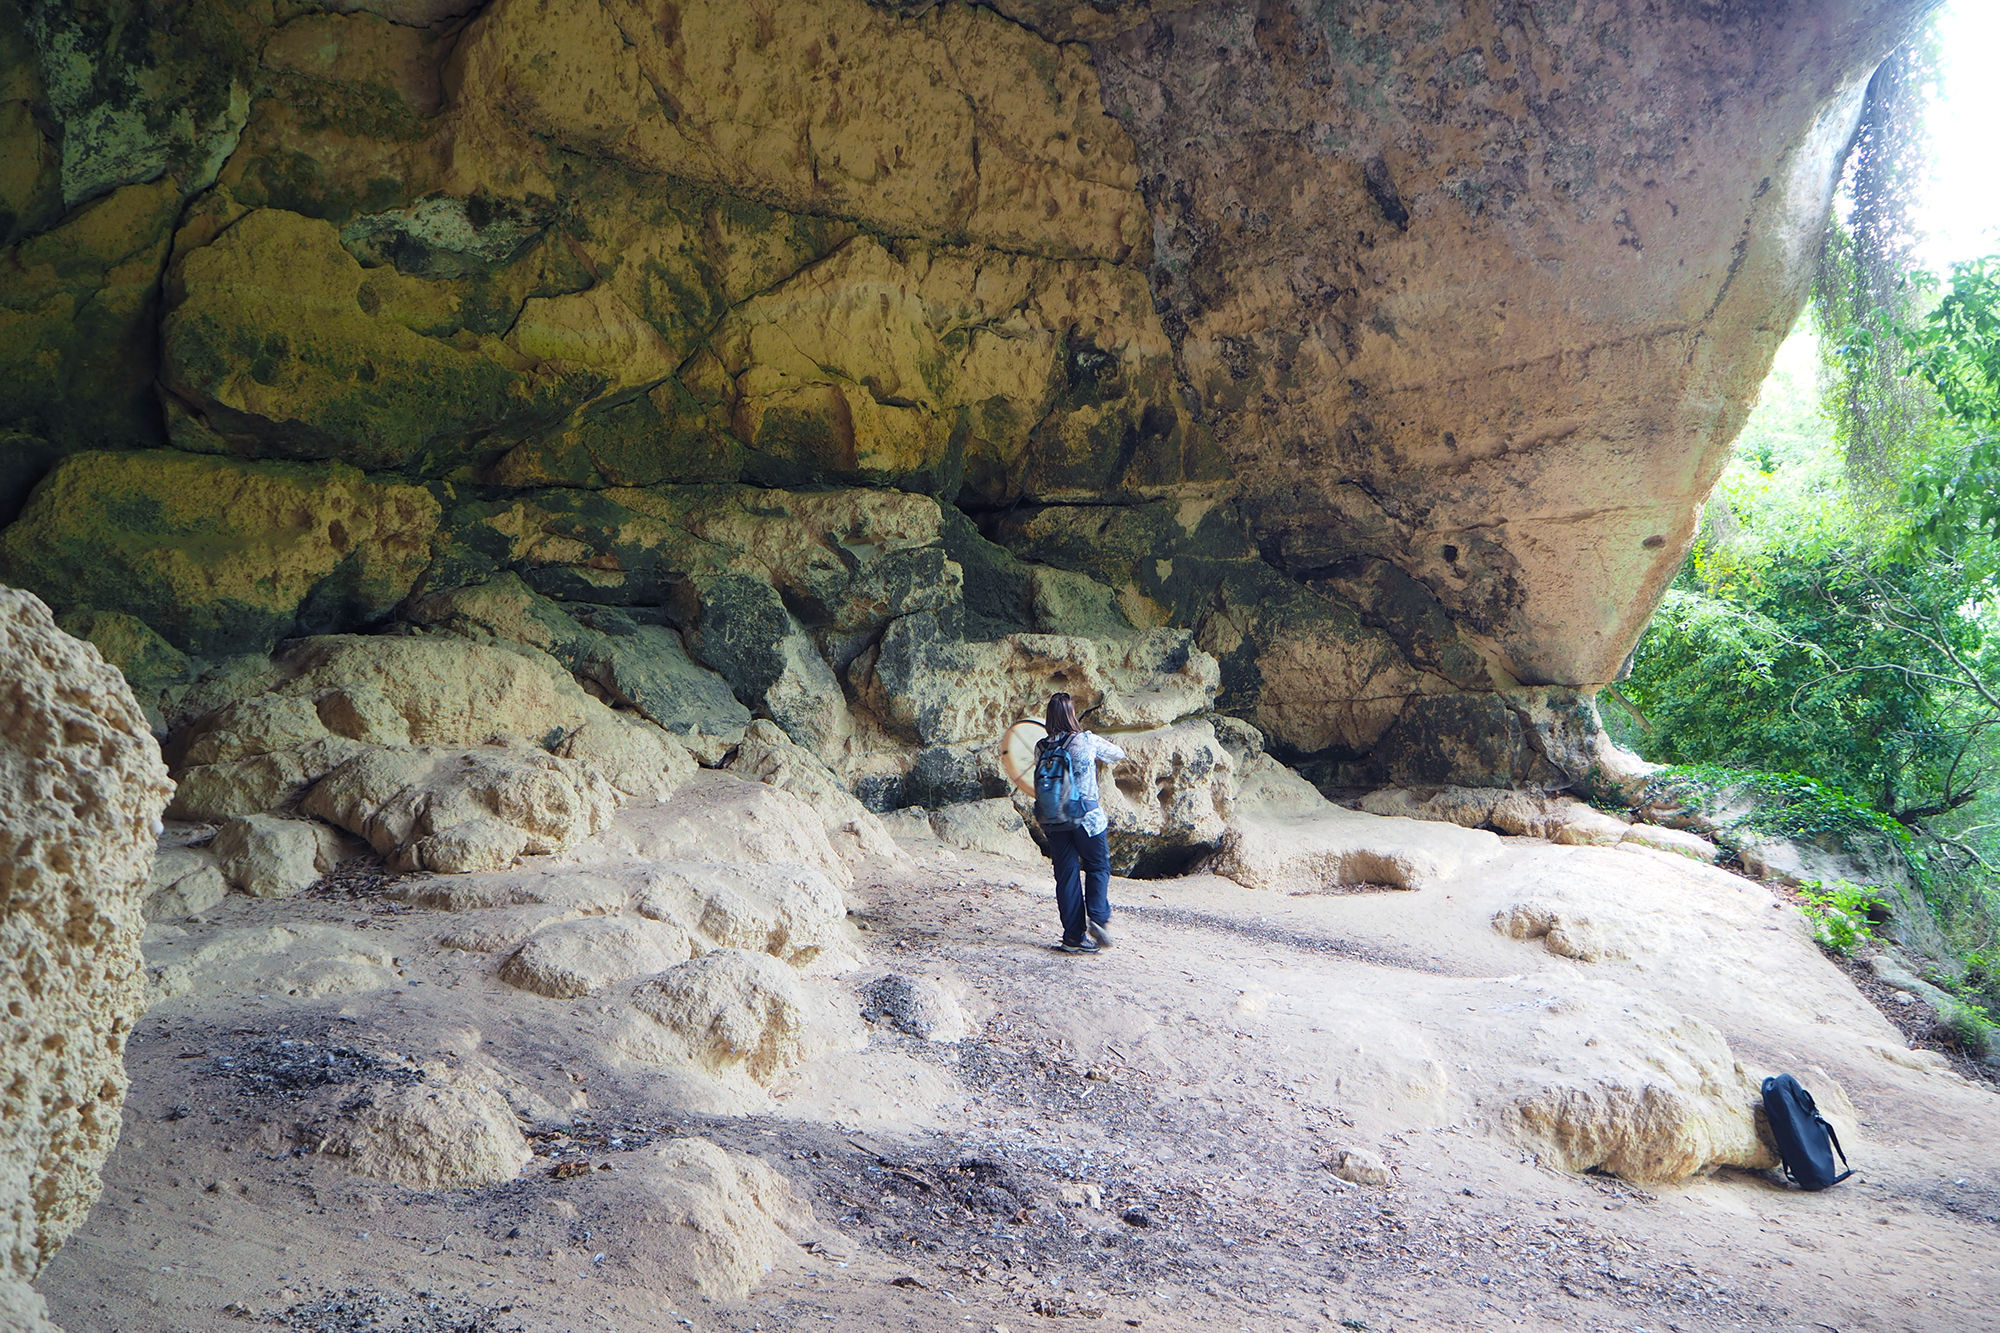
point(1073, 824)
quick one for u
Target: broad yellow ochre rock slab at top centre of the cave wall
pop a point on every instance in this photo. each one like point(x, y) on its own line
point(959, 125)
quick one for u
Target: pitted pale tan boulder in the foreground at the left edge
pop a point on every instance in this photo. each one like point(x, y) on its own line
point(83, 788)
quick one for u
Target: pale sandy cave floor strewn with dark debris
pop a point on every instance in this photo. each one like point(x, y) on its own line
point(1131, 1140)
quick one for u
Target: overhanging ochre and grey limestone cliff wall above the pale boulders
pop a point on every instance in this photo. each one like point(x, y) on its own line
point(1387, 349)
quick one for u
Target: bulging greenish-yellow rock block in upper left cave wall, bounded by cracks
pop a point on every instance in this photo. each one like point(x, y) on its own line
point(285, 343)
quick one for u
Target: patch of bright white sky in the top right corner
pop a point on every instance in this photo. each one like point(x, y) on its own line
point(1963, 207)
